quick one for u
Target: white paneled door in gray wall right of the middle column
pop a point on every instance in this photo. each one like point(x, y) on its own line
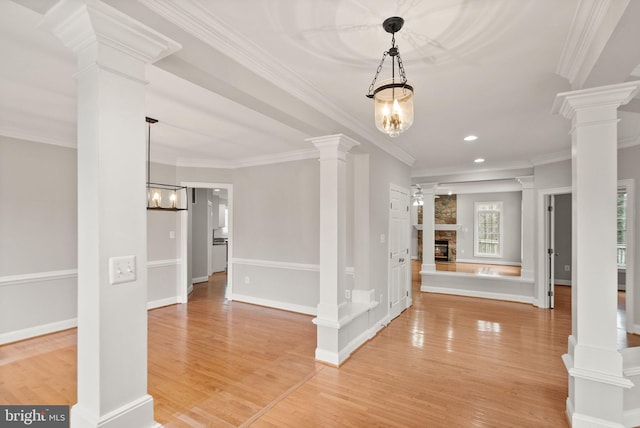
point(399, 236)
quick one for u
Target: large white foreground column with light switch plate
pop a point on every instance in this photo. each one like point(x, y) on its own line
point(112, 51)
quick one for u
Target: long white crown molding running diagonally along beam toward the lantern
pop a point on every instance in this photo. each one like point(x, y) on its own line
point(192, 17)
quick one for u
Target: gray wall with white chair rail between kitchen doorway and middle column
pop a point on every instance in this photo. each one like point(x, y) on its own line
point(276, 234)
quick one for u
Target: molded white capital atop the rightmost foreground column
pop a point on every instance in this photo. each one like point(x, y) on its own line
point(568, 103)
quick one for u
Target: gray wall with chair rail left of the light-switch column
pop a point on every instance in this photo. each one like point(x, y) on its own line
point(38, 248)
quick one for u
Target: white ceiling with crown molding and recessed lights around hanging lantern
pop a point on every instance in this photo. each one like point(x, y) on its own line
point(255, 79)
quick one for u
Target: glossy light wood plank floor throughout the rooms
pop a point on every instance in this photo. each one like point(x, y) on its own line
point(447, 361)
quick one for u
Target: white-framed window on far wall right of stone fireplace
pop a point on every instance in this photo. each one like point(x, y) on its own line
point(488, 229)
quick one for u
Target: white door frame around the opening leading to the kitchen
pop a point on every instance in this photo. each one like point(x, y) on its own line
point(183, 226)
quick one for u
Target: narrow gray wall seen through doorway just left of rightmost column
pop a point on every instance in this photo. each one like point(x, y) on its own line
point(562, 238)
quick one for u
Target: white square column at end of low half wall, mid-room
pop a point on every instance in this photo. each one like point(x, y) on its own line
point(333, 242)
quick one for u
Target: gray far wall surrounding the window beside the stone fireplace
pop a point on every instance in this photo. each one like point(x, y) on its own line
point(512, 222)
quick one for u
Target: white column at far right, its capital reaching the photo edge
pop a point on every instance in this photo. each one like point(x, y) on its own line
point(595, 368)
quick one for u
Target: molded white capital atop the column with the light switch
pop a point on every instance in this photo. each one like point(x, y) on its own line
point(80, 23)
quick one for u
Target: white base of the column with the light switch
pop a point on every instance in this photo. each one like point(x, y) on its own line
point(138, 413)
